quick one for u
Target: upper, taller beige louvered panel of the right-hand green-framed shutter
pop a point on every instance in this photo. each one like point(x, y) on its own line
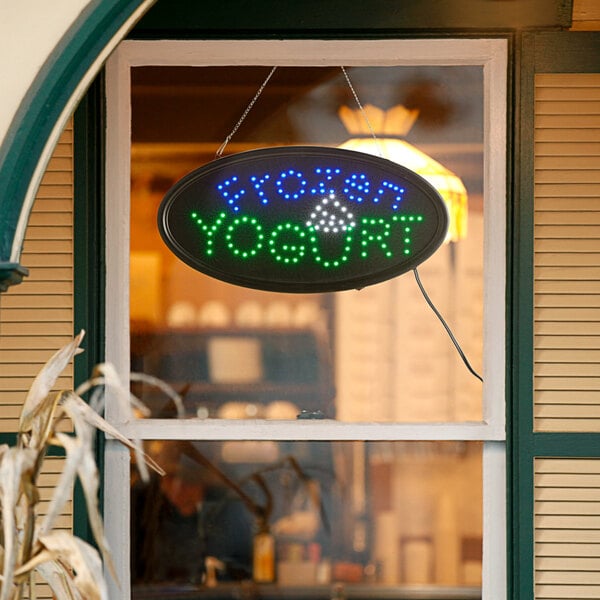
point(567, 253)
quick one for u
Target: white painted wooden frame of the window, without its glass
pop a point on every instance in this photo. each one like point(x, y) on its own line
point(491, 54)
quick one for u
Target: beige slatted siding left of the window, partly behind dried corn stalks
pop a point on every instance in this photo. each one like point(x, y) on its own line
point(36, 317)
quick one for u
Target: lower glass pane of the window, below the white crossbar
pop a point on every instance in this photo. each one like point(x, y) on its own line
point(300, 519)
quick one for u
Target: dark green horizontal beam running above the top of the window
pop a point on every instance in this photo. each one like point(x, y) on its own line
point(259, 18)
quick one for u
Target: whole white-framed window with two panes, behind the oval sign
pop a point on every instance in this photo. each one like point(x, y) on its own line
point(348, 427)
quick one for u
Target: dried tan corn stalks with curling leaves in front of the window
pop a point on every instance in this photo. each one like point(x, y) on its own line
point(29, 544)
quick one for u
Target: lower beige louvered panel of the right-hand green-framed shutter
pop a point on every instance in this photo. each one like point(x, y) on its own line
point(567, 528)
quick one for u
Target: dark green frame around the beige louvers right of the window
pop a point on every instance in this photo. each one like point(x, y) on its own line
point(544, 52)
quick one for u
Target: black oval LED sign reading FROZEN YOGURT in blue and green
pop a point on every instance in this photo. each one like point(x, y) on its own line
point(303, 219)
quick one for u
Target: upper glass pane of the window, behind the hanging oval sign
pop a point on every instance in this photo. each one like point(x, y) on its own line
point(378, 354)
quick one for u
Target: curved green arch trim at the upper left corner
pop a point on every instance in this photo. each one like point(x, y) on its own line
point(44, 103)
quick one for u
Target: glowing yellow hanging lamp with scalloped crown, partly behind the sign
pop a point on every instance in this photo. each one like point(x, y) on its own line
point(381, 133)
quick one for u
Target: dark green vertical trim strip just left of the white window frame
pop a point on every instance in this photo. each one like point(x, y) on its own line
point(89, 252)
